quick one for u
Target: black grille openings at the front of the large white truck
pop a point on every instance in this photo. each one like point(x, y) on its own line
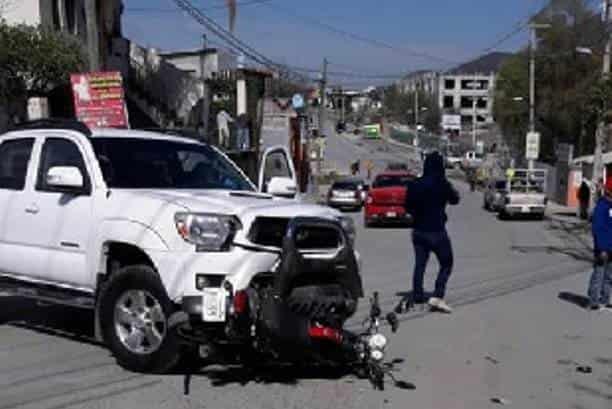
point(270, 232)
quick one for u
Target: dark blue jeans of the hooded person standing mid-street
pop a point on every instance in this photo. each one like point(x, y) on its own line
point(424, 244)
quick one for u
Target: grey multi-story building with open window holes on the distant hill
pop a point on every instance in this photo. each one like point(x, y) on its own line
point(458, 93)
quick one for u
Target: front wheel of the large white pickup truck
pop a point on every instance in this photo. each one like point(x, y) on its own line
point(133, 312)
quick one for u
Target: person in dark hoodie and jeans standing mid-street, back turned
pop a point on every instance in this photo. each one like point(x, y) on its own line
point(429, 195)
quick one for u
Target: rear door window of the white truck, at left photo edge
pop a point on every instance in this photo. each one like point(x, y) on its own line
point(14, 159)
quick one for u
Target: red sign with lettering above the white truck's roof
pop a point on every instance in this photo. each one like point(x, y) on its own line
point(99, 99)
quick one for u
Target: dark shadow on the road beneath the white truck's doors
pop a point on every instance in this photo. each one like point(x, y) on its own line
point(74, 324)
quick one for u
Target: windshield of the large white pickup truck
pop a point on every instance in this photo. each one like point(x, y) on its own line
point(133, 163)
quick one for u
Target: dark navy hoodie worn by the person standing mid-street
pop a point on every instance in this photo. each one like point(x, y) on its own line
point(427, 197)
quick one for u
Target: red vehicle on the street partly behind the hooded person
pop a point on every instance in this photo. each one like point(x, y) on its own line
point(386, 199)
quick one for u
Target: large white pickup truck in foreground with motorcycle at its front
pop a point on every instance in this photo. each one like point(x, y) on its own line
point(139, 226)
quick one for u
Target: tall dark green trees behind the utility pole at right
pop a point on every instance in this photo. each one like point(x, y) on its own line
point(564, 80)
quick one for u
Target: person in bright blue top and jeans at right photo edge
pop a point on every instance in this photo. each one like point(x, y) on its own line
point(601, 278)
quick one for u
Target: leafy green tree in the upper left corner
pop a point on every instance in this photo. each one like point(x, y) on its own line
point(33, 61)
